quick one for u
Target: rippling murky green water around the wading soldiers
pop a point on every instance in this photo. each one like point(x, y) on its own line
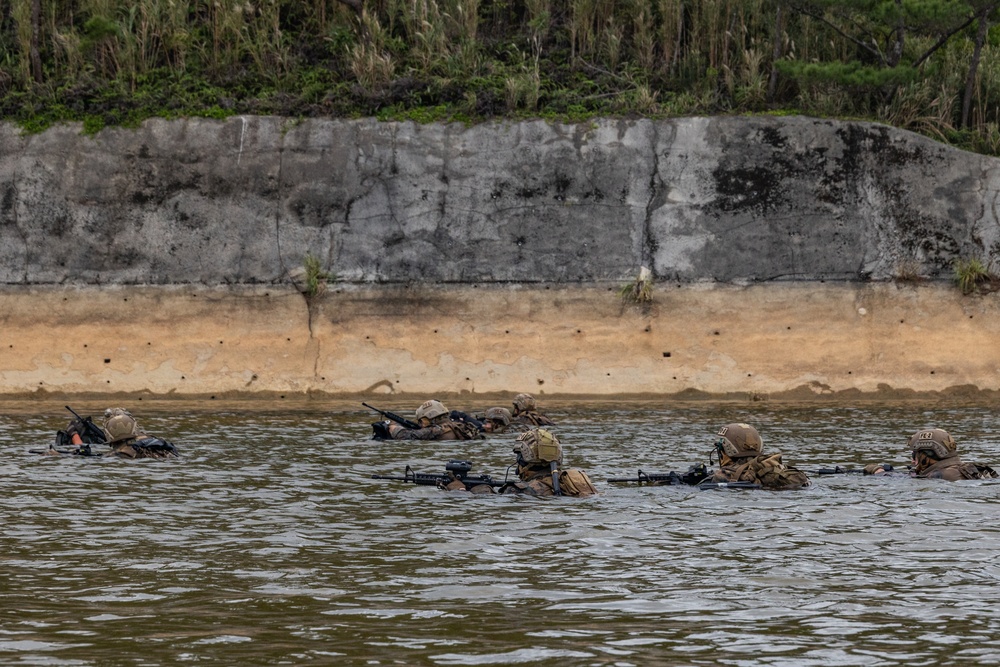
point(269, 543)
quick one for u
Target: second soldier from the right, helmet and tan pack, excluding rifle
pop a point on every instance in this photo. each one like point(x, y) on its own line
point(740, 460)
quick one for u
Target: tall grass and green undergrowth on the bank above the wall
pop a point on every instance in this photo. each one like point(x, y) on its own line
point(468, 59)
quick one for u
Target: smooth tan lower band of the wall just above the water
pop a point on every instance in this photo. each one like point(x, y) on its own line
point(795, 340)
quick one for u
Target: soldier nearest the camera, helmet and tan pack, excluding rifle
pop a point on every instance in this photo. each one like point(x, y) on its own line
point(538, 453)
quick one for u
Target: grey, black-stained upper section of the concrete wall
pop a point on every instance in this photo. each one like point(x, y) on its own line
point(730, 199)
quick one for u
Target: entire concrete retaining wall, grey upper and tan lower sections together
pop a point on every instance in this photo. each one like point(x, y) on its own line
point(487, 259)
